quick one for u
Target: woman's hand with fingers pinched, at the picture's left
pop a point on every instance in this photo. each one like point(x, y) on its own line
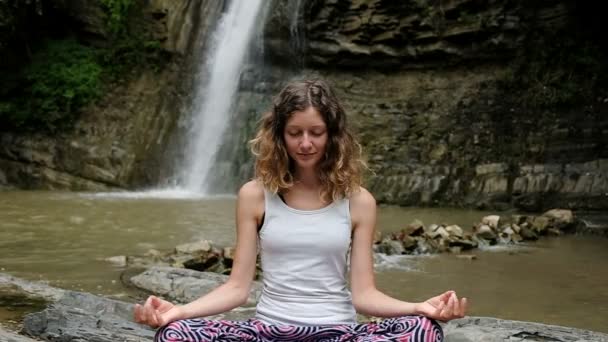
point(156, 312)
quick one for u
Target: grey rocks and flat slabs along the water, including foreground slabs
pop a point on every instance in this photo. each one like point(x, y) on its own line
point(192, 269)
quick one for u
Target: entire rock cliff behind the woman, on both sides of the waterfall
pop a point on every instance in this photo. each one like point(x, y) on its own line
point(490, 104)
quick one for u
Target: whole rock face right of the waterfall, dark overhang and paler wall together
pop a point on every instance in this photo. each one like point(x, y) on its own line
point(423, 84)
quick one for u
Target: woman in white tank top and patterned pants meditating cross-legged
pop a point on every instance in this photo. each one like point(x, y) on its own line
point(307, 210)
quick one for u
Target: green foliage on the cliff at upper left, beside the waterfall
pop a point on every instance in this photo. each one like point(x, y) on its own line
point(63, 75)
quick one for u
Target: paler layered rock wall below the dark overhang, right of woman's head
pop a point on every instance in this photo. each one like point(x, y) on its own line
point(436, 137)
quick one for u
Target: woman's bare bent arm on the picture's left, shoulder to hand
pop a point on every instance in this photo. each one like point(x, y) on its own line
point(233, 293)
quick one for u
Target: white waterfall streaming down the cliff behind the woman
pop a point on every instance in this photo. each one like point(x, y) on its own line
point(216, 91)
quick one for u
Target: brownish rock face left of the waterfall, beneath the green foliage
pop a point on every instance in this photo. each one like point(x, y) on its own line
point(118, 142)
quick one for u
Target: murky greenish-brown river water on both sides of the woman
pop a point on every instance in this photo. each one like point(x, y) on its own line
point(63, 239)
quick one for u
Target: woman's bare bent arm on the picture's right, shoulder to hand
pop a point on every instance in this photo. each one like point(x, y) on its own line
point(367, 299)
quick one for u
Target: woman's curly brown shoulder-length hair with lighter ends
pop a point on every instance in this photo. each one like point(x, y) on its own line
point(340, 171)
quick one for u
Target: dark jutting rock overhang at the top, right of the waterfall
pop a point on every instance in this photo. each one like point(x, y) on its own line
point(409, 33)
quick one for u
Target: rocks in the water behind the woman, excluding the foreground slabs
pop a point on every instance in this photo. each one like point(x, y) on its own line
point(415, 238)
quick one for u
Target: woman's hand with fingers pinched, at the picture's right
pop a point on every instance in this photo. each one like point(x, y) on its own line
point(445, 307)
